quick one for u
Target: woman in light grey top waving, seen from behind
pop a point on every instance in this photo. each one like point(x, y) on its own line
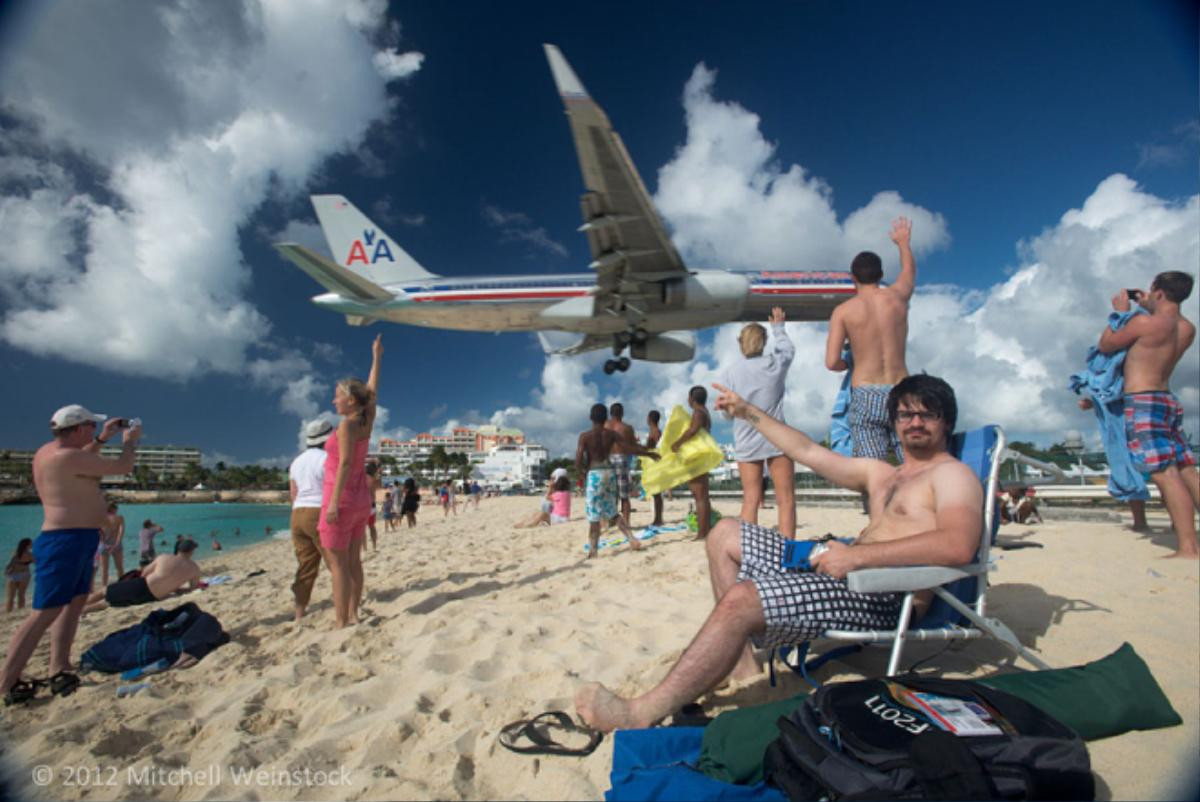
point(760, 379)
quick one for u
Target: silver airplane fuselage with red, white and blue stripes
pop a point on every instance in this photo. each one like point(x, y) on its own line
point(567, 303)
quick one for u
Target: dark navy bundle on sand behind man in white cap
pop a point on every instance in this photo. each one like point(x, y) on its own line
point(163, 635)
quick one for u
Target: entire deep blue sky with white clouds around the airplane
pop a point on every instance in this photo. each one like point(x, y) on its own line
point(151, 155)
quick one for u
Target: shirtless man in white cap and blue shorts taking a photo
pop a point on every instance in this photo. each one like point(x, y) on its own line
point(67, 474)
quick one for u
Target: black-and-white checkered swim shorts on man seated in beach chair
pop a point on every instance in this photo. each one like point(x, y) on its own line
point(801, 606)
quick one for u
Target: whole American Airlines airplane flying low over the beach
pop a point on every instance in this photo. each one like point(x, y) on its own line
point(639, 296)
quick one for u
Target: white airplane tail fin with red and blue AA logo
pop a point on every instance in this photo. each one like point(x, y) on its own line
point(363, 248)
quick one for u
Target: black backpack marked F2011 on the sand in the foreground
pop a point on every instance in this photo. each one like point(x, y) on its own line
point(875, 740)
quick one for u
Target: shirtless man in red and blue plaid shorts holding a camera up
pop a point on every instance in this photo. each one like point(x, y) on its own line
point(1154, 416)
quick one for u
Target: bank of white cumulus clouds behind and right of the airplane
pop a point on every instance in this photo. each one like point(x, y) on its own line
point(1007, 349)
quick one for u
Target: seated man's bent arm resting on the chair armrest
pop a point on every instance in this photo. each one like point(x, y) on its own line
point(958, 510)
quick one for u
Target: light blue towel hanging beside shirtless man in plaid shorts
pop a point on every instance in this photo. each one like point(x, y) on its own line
point(1105, 382)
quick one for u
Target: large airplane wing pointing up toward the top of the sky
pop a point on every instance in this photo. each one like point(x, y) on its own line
point(629, 242)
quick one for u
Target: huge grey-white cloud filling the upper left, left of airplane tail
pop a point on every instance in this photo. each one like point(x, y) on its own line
point(179, 122)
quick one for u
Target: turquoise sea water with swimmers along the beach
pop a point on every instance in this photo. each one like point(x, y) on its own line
point(197, 522)
